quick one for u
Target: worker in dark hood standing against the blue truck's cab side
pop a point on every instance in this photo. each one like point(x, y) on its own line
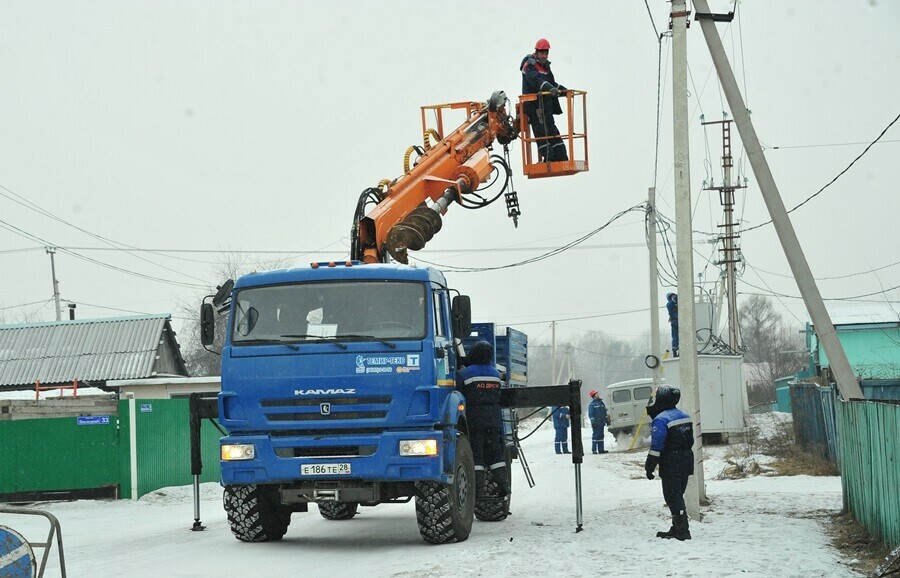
point(479, 382)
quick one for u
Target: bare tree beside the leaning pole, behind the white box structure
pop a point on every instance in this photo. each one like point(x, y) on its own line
point(772, 348)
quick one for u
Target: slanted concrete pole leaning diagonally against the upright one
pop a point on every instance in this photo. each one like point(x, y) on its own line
point(837, 358)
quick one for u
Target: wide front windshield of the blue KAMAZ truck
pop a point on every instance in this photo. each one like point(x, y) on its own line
point(330, 311)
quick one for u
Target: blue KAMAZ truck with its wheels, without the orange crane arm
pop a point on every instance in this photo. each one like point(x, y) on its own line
point(338, 388)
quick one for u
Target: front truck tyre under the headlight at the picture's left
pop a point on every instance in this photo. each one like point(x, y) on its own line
point(255, 513)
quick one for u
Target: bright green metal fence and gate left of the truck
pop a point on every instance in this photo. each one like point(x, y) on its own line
point(67, 454)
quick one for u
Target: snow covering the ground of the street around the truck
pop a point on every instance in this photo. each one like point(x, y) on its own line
point(760, 526)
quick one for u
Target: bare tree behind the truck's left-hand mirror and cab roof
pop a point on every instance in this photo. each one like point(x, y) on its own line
point(199, 360)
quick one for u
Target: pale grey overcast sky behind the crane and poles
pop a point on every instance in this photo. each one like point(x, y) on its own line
point(253, 126)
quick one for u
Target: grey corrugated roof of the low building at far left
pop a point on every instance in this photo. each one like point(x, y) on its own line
point(86, 350)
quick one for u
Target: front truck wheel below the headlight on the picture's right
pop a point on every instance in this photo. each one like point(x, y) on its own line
point(444, 512)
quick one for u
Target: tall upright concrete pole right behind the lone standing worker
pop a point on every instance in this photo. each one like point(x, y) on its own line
point(684, 254)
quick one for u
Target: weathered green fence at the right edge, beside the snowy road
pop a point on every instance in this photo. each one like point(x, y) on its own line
point(870, 475)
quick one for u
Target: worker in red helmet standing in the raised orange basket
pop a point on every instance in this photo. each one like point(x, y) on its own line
point(537, 78)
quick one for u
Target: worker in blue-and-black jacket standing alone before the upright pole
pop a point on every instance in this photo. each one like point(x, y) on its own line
point(670, 447)
